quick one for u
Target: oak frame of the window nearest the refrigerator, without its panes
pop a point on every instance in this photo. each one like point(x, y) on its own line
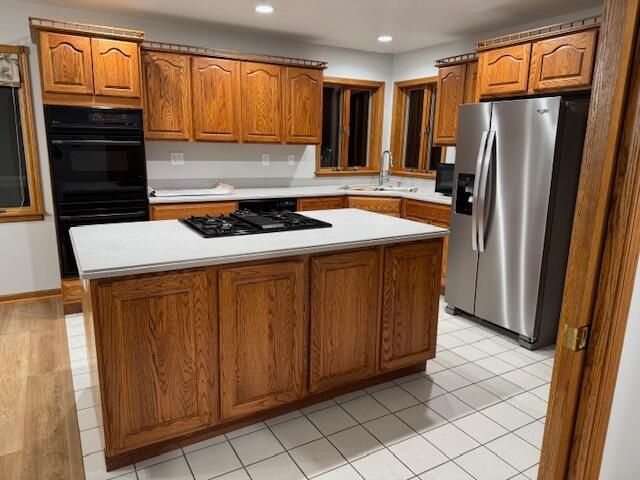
point(398, 127)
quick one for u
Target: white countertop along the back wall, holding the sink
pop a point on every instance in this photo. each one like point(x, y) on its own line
point(311, 191)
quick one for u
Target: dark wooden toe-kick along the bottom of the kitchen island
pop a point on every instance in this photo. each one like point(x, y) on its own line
point(150, 451)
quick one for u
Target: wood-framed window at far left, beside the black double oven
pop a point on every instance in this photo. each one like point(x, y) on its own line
point(20, 195)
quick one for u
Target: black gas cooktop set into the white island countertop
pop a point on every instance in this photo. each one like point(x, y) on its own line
point(247, 222)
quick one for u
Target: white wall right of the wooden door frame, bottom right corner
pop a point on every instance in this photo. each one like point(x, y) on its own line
point(621, 460)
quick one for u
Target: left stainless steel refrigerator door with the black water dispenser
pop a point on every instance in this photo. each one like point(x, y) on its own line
point(473, 125)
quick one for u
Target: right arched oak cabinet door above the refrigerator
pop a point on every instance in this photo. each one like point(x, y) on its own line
point(563, 62)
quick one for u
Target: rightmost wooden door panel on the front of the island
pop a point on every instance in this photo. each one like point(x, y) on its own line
point(410, 311)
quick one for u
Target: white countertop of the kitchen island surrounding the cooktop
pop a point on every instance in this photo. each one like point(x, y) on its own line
point(119, 249)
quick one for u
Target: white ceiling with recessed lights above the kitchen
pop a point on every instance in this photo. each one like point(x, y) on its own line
point(349, 23)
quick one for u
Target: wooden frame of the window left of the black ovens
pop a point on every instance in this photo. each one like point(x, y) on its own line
point(34, 211)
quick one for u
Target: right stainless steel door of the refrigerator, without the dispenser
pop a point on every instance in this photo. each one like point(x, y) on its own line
point(512, 206)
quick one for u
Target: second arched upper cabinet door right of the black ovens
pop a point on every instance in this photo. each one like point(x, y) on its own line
point(216, 99)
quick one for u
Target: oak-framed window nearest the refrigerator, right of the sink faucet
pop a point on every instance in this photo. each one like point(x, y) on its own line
point(412, 130)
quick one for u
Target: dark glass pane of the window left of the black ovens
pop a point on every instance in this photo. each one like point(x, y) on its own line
point(14, 189)
